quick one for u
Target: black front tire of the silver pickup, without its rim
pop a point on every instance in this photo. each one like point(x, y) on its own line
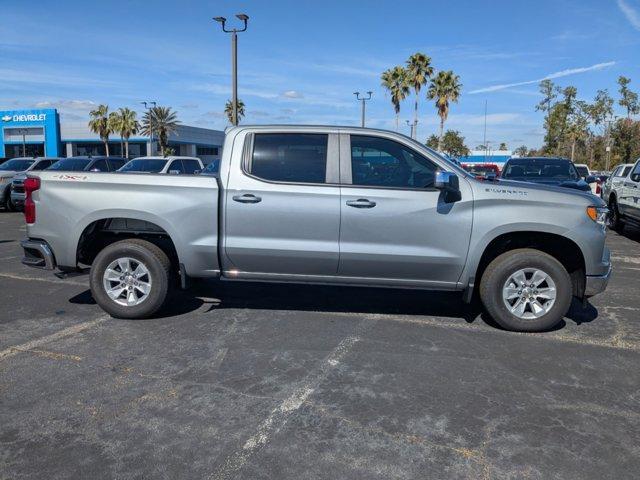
point(498, 272)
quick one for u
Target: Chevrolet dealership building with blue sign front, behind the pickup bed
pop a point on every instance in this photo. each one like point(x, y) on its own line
point(41, 133)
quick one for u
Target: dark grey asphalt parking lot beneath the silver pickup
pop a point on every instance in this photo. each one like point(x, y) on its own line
point(289, 382)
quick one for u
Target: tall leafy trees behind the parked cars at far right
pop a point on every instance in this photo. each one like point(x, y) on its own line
point(588, 131)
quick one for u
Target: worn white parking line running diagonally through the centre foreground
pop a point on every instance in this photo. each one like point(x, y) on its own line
point(280, 414)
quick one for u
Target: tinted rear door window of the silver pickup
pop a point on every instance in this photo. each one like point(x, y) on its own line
point(290, 157)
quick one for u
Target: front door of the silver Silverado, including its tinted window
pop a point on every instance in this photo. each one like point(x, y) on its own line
point(395, 225)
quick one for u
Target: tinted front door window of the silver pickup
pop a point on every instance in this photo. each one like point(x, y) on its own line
point(384, 163)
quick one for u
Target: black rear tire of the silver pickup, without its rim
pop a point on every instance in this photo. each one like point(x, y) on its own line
point(153, 258)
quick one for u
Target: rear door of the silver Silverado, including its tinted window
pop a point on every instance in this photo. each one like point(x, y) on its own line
point(282, 207)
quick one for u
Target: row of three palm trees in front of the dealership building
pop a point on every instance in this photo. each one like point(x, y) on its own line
point(157, 122)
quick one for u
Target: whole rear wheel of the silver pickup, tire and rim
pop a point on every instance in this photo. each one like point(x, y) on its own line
point(130, 278)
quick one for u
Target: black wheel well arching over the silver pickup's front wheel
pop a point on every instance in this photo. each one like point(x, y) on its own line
point(561, 248)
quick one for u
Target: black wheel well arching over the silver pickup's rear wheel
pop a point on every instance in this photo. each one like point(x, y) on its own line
point(101, 233)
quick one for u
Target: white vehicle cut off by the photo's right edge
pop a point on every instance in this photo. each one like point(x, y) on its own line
point(624, 200)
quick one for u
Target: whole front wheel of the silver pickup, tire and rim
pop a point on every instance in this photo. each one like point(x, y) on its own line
point(526, 290)
